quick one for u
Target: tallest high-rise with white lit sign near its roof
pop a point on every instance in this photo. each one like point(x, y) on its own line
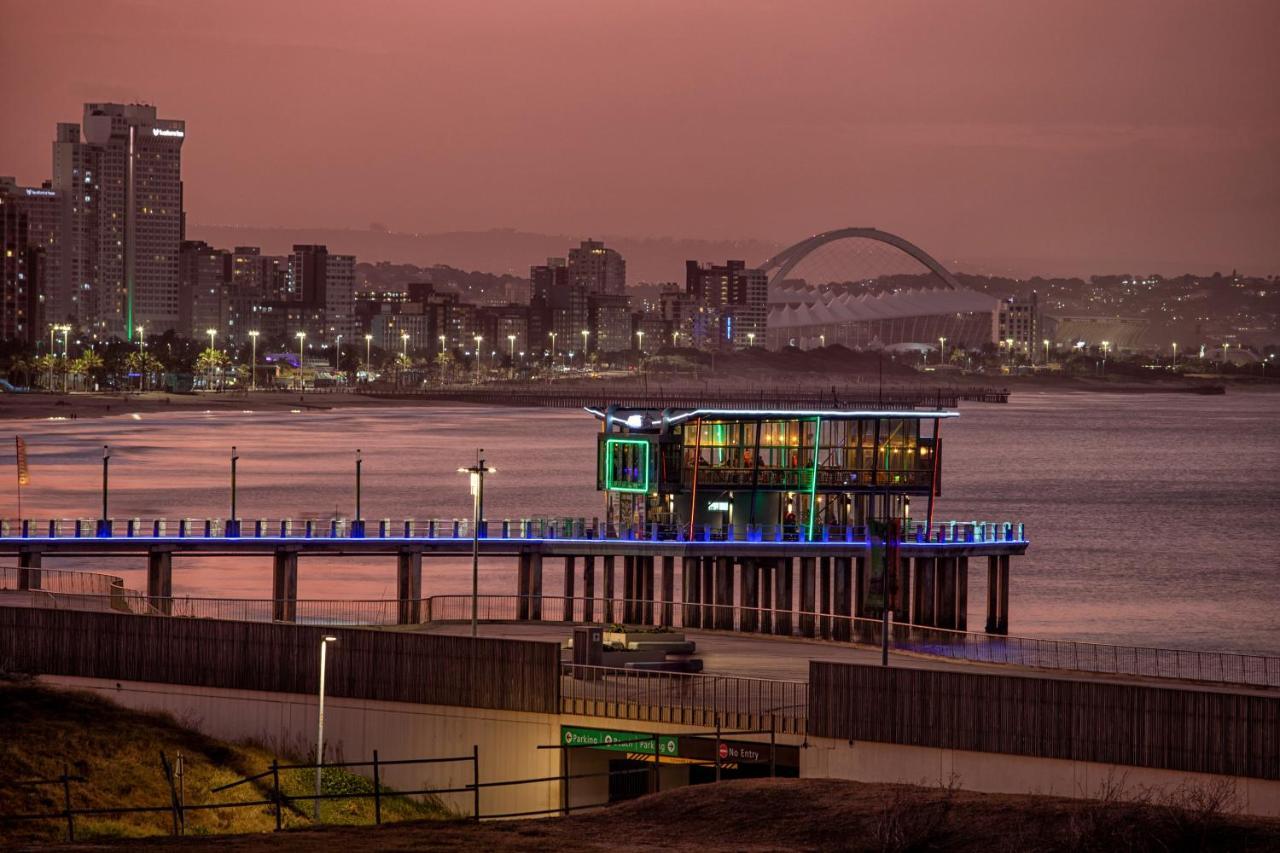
point(136, 165)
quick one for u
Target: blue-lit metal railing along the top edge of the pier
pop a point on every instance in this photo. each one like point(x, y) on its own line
point(541, 530)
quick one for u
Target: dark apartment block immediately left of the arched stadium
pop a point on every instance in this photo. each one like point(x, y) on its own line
point(725, 305)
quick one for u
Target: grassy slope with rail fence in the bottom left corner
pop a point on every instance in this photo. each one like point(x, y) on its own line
point(117, 751)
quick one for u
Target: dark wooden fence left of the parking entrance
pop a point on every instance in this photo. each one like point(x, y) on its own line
point(514, 676)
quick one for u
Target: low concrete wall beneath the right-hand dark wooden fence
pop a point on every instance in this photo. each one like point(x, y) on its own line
point(1004, 774)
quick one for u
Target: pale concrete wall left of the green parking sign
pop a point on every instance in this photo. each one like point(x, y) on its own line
point(509, 741)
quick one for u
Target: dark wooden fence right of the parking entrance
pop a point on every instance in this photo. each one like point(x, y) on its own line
point(1126, 724)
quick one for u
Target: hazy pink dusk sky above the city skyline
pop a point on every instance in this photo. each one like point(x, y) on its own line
point(1013, 130)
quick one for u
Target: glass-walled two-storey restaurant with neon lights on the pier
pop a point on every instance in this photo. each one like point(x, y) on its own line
point(685, 469)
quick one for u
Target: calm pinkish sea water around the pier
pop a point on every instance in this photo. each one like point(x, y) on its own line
point(1155, 519)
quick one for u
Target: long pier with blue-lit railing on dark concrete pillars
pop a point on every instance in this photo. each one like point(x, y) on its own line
point(655, 571)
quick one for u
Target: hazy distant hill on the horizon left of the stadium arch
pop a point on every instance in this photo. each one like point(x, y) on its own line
point(500, 252)
